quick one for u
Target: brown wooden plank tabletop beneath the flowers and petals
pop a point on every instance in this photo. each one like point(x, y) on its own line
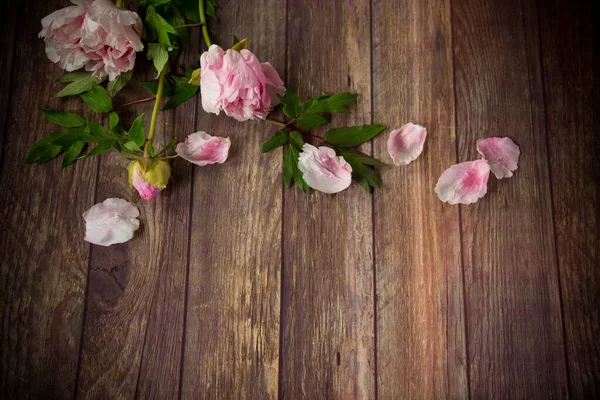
point(235, 288)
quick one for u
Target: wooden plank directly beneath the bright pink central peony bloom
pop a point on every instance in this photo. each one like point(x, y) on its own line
point(232, 329)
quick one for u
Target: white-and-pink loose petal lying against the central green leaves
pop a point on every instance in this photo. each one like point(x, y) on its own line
point(323, 171)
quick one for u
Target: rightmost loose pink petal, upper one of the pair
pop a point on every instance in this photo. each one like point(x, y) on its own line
point(501, 153)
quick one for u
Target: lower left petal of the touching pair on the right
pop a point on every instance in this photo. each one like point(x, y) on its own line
point(464, 183)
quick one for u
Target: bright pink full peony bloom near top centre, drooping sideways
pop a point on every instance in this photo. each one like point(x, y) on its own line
point(237, 83)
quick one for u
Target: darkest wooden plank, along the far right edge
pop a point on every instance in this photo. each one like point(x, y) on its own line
point(567, 48)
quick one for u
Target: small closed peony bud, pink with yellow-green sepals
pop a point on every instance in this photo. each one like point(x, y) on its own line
point(149, 177)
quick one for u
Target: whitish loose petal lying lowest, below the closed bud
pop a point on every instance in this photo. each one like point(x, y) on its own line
point(110, 222)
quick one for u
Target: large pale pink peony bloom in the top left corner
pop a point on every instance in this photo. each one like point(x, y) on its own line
point(93, 34)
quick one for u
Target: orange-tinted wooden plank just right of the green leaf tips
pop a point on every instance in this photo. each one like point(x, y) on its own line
point(421, 351)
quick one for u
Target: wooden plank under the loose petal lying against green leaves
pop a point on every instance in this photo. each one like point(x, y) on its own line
point(327, 296)
